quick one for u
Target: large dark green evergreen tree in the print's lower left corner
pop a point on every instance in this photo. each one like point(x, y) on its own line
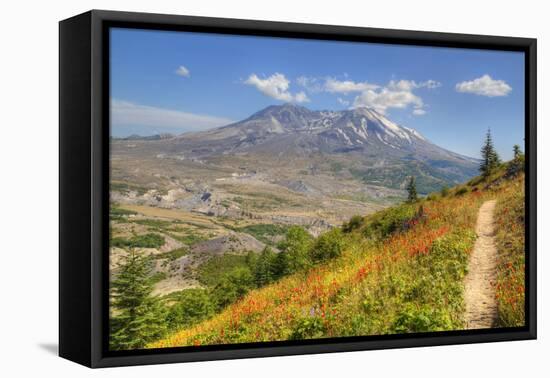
point(137, 317)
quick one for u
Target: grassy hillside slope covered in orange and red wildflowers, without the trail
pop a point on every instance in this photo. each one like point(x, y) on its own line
point(401, 270)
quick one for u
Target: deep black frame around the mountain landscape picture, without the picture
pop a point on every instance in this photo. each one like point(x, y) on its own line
point(84, 187)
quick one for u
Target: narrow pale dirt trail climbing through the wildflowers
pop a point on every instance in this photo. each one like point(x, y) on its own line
point(481, 304)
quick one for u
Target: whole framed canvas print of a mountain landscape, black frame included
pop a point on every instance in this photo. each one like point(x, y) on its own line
point(233, 188)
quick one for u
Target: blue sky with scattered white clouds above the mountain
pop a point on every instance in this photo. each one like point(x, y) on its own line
point(177, 82)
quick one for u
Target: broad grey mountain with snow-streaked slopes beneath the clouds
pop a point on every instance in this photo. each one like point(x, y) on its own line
point(359, 142)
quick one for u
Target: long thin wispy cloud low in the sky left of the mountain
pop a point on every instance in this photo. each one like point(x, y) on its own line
point(128, 114)
